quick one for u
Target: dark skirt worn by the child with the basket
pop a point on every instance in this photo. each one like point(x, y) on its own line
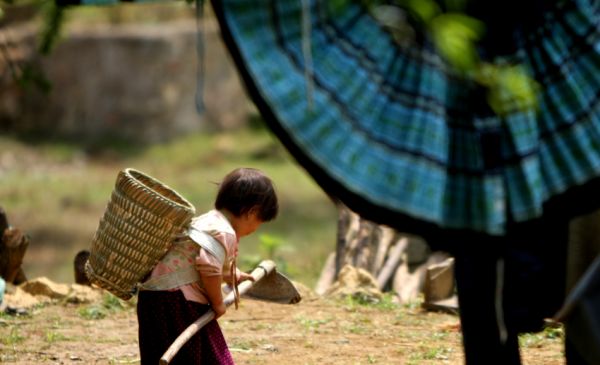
point(163, 315)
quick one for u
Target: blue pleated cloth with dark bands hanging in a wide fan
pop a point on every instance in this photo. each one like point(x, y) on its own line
point(403, 137)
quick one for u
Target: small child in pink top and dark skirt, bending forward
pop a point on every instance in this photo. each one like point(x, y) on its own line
point(186, 283)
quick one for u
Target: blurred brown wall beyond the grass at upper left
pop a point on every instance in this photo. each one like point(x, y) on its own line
point(135, 82)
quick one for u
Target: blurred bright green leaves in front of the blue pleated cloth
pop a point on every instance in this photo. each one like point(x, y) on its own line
point(455, 36)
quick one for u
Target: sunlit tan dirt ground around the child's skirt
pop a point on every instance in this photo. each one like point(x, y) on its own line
point(315, 331)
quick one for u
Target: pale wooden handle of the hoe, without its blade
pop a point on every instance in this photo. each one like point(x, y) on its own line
point(263, 269)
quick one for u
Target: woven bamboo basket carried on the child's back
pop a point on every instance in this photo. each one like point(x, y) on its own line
point(141, 219)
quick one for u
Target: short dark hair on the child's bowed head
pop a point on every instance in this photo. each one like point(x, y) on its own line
point(244, 189)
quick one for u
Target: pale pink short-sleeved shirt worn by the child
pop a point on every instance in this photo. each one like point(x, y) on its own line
point(186, 252)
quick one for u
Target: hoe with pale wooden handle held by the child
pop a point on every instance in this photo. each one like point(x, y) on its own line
point(268, 285)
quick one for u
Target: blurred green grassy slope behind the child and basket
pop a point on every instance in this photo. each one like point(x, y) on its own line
point(57, 191)
